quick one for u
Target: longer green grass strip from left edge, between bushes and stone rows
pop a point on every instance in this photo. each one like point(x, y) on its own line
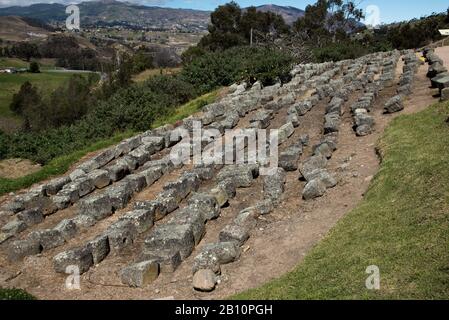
point(58, 166)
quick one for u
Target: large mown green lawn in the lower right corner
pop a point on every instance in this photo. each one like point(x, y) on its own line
point(401, 226)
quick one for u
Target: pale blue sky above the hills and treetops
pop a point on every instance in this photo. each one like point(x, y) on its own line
point(389, 10)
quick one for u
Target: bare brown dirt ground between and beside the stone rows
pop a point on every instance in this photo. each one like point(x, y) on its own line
point(278, 243)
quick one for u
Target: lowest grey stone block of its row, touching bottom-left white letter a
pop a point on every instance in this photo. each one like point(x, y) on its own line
point(80, 257)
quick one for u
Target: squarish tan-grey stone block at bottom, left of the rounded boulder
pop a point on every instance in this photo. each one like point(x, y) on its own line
point(140, 274)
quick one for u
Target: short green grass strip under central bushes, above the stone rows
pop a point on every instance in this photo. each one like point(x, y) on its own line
point(188, 109)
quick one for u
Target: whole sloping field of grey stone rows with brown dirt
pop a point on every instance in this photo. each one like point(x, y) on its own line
point(139, 223)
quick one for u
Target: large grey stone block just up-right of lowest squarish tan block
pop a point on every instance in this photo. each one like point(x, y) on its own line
point(171, 237)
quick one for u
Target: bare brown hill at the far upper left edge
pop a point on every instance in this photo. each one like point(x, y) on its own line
point(14, 28)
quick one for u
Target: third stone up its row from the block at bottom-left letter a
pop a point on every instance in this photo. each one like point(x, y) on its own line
point(121, 235)
